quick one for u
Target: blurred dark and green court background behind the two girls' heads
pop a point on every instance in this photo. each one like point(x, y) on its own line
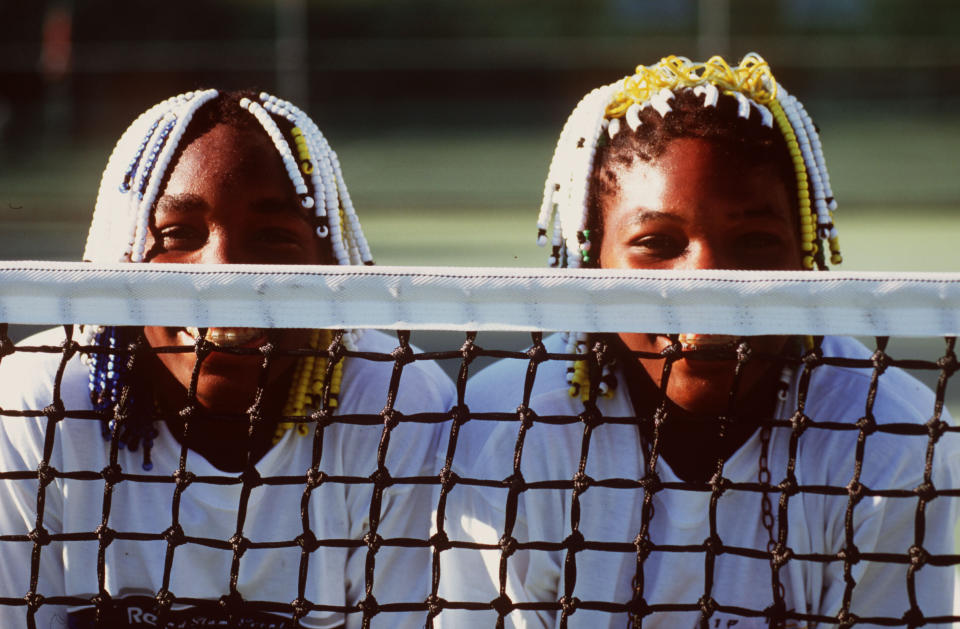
point(445, 114)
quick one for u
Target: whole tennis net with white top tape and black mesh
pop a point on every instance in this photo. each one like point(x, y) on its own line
point(497, 500)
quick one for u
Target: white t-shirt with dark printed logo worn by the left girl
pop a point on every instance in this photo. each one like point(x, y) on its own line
point(134, 568)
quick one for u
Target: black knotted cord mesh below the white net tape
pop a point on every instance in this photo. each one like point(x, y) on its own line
point(777, 485)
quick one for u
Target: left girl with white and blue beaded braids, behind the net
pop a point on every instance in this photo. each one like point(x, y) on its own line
point(159, 514)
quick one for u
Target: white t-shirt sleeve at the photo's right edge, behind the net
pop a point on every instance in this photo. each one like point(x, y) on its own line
point(892, 525)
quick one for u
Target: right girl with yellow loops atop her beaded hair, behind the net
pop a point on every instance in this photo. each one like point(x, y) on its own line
point(662, 520)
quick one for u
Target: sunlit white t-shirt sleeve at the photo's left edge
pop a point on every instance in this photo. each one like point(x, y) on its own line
point(25, 384)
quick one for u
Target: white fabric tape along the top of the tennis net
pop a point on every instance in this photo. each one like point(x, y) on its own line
point(460, 298)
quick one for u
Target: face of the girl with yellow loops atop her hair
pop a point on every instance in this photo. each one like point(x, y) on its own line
point(699, 206)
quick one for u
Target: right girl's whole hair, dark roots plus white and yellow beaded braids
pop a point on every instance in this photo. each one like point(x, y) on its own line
point(636, 117)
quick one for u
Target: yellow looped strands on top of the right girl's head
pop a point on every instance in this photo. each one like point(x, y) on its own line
point(752, 78)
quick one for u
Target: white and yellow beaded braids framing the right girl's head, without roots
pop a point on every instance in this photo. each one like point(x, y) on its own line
point(565, 206)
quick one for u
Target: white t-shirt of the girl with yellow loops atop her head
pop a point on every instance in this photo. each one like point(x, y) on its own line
point(674, 573)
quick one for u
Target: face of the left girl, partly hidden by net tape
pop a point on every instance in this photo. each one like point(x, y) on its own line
point(228, 200)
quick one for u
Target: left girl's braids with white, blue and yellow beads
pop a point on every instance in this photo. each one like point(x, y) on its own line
point(128, 192)
